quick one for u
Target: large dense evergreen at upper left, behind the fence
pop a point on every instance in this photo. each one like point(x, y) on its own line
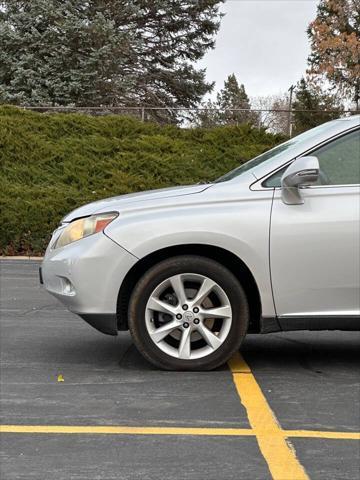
point(105, 52)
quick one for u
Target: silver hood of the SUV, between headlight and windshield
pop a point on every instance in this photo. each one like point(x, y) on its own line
point(122, 201)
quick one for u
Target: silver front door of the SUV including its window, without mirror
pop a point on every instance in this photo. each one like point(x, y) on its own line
point(315, 247)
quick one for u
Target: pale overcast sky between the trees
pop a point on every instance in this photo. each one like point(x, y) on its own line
point(263, 42)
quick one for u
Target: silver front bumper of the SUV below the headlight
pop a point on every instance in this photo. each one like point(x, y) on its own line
point(86, 276)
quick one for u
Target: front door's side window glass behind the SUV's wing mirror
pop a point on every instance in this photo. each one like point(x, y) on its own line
point(340, 160)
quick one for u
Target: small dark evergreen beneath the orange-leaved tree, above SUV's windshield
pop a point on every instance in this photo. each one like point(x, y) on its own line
point(310, 106)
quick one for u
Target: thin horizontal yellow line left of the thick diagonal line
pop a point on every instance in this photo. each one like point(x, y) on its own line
point(122, 430)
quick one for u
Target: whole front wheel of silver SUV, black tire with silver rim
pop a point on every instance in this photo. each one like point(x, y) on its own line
point(202, 343)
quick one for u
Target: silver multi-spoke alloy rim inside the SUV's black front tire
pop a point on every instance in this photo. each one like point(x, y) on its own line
point(188, 316)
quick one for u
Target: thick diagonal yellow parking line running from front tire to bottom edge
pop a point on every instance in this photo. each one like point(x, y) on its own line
point(277, 451)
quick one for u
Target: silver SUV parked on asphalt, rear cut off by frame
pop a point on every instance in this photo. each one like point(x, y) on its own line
point(273, 245)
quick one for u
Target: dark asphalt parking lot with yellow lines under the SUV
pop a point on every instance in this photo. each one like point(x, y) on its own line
point(76, 404)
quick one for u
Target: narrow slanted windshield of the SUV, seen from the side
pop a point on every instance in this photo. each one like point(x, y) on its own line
point(275, 152)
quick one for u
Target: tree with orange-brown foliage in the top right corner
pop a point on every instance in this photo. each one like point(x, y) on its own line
point(335, 45)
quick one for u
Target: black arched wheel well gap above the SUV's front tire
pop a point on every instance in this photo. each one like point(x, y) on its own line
point(226, 258)
